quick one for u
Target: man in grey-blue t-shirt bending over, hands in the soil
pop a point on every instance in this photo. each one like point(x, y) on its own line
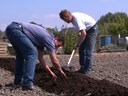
point(29, 41)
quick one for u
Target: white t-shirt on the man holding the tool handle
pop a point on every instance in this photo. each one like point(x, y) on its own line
point(82, 21)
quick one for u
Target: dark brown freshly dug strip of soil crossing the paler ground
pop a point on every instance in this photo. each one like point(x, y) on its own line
point(76, 85)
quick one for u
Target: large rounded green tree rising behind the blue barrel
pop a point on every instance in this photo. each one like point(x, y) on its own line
point(113, 24)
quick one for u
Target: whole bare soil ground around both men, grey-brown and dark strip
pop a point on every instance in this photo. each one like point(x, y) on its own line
point(109, 77)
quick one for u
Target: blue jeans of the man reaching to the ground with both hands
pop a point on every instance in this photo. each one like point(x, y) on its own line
point(26, 54)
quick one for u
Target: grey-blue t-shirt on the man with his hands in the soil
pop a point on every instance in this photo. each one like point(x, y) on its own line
point(39, 36)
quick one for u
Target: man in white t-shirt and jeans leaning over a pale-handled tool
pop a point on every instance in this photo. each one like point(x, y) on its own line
point(87, 33)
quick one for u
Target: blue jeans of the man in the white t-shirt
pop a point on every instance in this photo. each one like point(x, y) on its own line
point(86, 49)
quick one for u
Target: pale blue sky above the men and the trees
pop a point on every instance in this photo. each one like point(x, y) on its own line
point(46, 12)
